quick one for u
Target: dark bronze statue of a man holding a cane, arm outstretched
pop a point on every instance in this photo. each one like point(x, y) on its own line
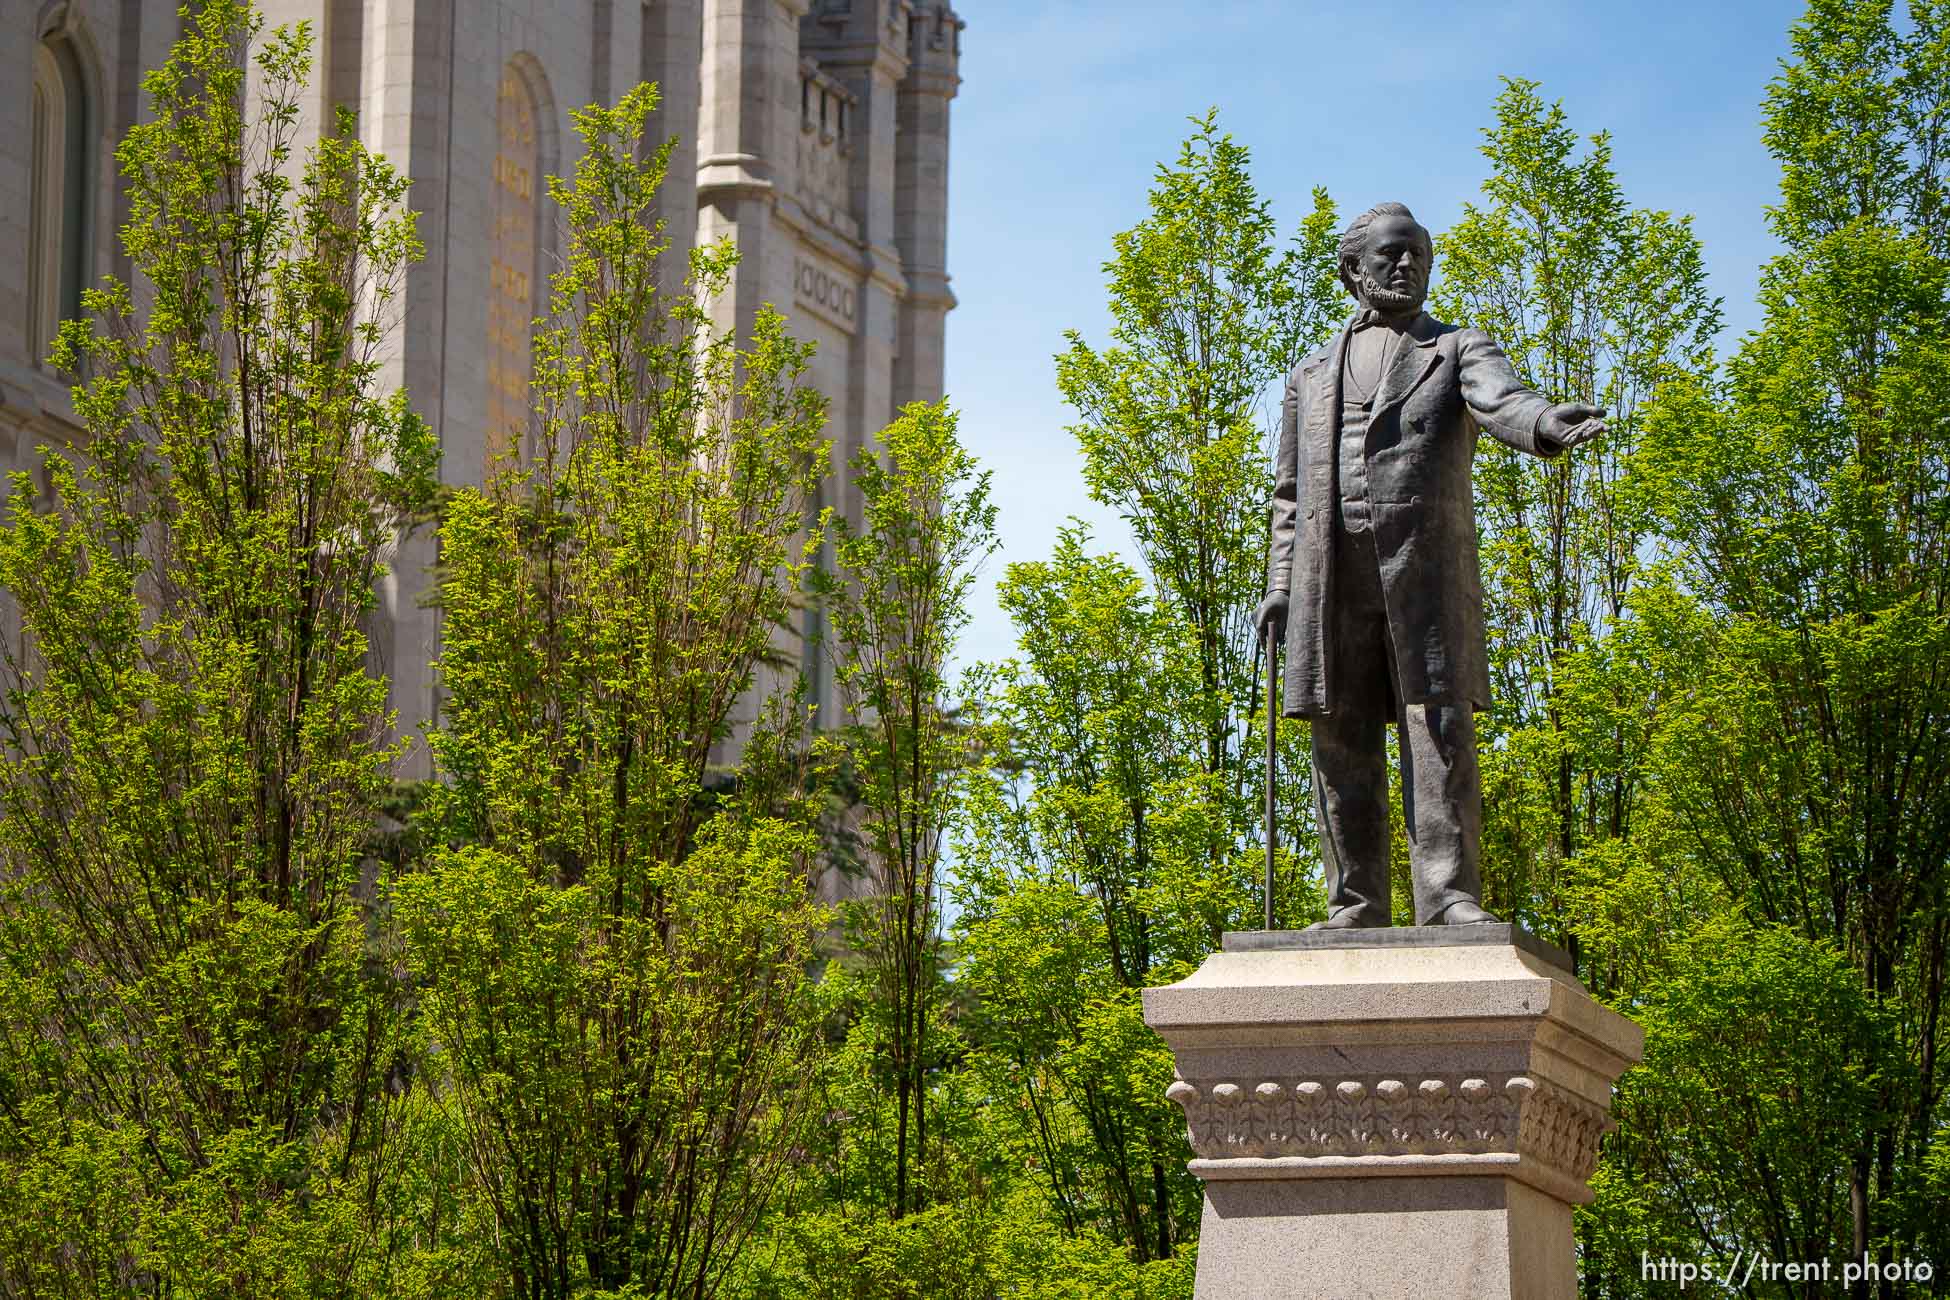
point(1372, 570)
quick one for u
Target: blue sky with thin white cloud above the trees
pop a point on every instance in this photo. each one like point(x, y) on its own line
point(1070, 106)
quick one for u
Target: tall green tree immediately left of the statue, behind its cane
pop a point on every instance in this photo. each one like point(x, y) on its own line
point(1175, 420)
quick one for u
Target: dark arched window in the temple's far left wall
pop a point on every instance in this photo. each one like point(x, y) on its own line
point(58, 219)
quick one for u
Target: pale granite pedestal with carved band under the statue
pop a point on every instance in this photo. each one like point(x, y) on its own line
point(1391, 1114)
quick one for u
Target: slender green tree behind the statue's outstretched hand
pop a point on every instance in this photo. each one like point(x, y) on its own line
point(1594, 301)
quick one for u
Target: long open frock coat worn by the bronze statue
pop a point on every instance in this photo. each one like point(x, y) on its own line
point(1444, 385)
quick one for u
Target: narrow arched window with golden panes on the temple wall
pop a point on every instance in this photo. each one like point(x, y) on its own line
point(512, 268)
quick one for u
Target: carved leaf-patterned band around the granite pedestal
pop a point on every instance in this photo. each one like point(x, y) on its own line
point(1393, 1118)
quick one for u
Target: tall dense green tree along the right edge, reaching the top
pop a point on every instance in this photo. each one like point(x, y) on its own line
point(1803, 506)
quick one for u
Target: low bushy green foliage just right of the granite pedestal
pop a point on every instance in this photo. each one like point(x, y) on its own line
point(1738, 1129)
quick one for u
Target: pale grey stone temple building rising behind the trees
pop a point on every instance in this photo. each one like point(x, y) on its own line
point(810, 134)
